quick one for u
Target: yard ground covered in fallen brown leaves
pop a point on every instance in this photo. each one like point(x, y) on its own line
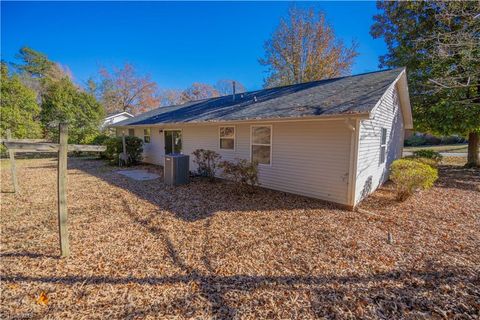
point(143, 250)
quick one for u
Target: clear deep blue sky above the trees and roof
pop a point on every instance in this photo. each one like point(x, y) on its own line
point(177, 43)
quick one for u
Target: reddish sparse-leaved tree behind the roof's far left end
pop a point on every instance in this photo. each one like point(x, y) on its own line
point(122, 89)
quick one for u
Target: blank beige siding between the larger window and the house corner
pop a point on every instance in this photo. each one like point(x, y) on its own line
point(309, 159)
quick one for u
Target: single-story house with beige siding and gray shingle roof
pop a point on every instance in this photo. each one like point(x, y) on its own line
point(331, 139)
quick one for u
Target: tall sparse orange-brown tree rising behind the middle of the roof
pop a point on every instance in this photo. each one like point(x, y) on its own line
point(304, 48)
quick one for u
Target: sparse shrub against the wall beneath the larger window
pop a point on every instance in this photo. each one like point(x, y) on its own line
point(244, 172)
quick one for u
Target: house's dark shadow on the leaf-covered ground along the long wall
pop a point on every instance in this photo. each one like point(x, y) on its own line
point(199, 199)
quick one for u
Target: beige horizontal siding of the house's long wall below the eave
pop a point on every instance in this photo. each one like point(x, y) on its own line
point(309, 158)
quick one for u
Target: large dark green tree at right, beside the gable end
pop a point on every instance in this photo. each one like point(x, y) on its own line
point(438, 42)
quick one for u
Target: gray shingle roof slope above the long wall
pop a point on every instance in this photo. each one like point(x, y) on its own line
point(355, 94)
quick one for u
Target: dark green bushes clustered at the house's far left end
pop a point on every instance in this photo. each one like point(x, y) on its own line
point(134, 148)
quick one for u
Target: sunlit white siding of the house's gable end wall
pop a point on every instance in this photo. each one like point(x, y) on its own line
point(370, 172)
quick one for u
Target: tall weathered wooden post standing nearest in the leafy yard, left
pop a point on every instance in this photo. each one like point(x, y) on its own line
point(62, 192)
